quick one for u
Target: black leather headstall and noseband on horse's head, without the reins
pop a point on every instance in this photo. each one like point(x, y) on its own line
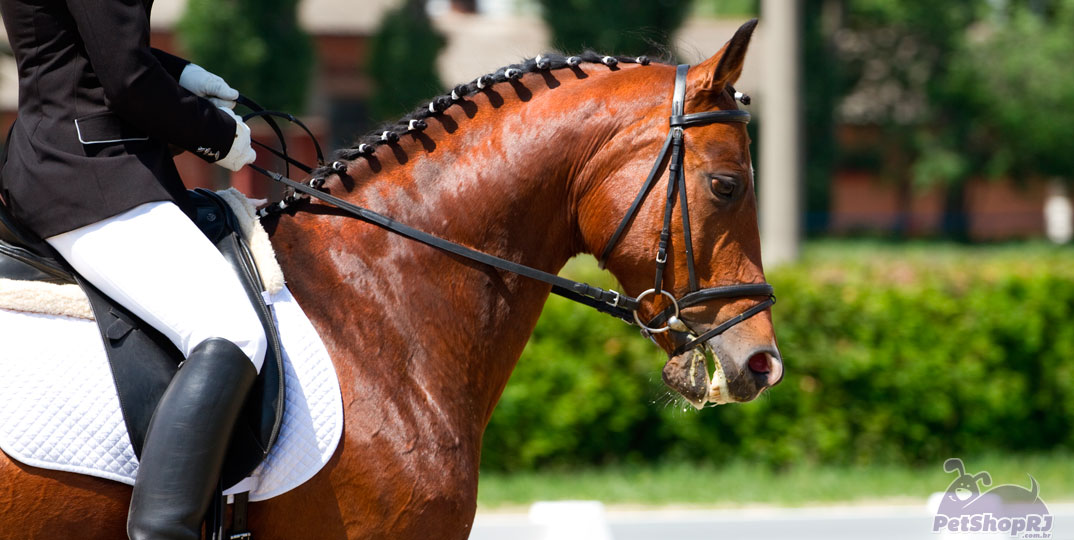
point(669, 320)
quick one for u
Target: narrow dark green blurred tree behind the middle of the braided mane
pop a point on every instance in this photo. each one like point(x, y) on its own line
point(402, 61)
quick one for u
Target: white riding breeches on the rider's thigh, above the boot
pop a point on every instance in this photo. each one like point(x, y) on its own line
point(155, 262)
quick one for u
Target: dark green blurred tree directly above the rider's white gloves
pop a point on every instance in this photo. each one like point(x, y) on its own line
point(256, 46)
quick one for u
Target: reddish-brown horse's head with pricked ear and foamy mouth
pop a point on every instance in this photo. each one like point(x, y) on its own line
point(719, 186)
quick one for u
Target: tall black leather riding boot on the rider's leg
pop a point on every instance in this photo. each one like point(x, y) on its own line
point(185, 446)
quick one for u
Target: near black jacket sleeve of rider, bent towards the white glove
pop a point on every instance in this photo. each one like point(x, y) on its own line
point(139, 89)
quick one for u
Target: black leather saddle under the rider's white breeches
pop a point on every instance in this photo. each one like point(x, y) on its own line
point(143, 361)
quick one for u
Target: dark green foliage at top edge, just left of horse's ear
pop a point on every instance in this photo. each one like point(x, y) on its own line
point(627, 27)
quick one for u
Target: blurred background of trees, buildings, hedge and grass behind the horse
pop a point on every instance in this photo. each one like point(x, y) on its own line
point(915, 184)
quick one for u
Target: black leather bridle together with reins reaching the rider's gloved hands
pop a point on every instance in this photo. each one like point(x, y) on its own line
point(608, 302)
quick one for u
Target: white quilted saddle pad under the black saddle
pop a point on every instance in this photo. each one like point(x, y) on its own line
point(60, 411)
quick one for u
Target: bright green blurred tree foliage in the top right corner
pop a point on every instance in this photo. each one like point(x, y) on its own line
point(1018, 79)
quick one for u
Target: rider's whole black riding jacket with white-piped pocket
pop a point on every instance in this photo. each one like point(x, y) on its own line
point(97, 111)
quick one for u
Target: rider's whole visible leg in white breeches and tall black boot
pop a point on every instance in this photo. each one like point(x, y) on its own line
point(155, 262)
